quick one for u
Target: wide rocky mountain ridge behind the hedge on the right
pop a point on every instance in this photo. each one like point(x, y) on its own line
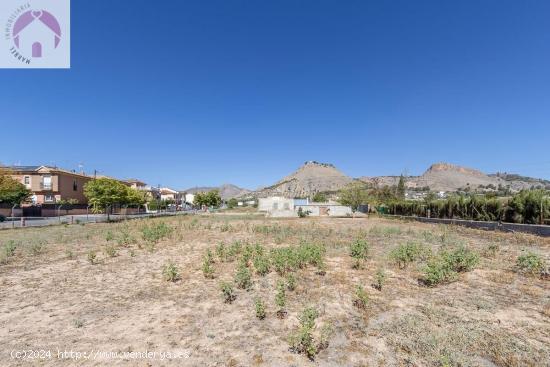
point(450, 177)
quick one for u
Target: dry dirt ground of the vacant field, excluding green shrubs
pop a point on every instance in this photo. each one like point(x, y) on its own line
point(53, 298)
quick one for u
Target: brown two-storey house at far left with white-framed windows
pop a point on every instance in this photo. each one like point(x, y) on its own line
point(50, 185)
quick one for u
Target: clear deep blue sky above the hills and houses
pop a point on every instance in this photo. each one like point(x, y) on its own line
point(185, 93)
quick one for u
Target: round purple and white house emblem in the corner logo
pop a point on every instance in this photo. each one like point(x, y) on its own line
point(36, 32)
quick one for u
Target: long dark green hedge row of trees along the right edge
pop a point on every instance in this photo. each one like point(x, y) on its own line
point(527, 206)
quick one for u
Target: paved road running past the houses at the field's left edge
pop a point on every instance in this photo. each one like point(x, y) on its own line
point(75, 219)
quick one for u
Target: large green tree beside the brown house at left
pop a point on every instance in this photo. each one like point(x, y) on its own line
point(102, 193)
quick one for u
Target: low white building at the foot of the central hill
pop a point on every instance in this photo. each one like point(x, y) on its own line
point(277, 206)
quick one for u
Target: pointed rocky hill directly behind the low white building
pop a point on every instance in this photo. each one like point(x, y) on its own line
point(310, 178)
